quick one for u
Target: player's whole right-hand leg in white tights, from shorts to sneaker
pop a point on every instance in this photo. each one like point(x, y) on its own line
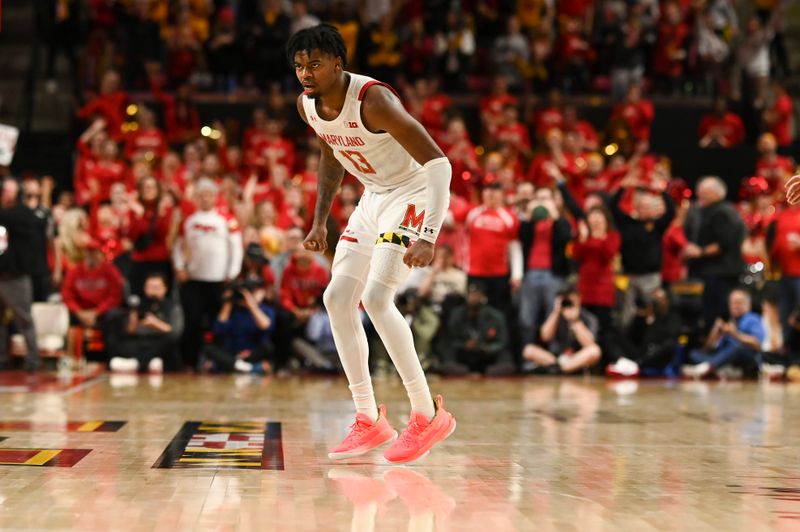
point(387, 272)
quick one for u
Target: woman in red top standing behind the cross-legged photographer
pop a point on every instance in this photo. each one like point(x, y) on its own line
point(597, 245)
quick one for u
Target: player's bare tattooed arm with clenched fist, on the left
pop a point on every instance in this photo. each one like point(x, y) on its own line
point(329, 178)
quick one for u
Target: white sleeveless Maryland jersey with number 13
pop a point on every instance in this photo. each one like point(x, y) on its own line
point(375, 159)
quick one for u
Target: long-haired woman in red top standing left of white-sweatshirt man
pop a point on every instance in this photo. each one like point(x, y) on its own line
point(150, 225)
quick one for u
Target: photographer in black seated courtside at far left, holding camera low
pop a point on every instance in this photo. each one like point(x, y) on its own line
point(147, 335)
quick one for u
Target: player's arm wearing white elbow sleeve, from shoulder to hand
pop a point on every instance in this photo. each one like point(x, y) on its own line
point(383, 111)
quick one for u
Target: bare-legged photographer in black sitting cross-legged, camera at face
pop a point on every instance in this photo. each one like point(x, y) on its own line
point(569, 333)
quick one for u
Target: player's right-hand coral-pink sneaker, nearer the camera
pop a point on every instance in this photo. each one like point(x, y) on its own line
point(420, 435)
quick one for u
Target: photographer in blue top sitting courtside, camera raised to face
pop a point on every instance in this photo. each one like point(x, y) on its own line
point(242, 332)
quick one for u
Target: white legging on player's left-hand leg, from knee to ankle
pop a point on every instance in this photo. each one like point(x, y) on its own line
point(341, 301)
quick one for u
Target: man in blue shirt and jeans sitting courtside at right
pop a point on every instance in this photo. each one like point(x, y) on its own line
point(736, 342)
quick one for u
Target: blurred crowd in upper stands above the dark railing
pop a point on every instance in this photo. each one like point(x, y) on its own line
point(576, 46)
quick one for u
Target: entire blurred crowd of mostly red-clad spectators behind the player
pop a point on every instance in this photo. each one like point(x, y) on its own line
point(568, 247)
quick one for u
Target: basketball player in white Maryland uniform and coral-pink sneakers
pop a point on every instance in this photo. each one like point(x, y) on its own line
point(364, 129)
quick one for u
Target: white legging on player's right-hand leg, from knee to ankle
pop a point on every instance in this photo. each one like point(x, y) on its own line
point(396, 334)
